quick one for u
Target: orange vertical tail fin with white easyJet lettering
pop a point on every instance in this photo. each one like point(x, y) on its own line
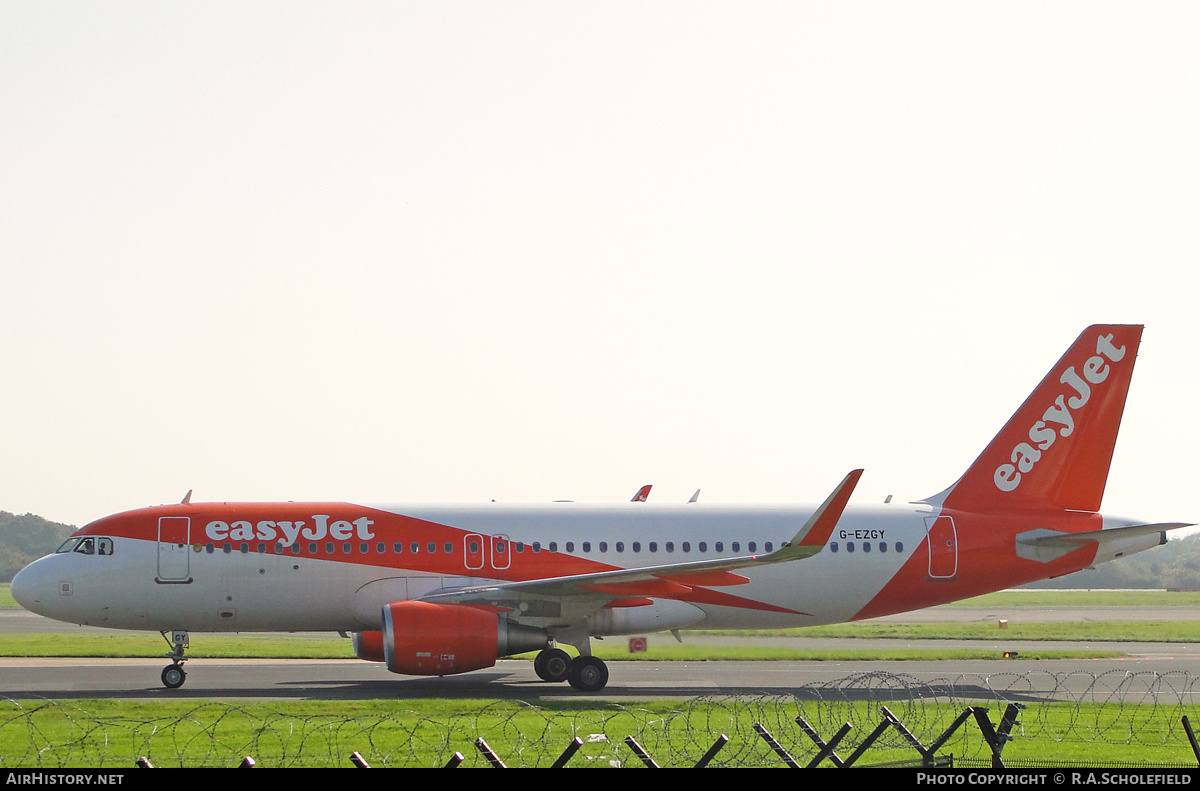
point(1054, 454)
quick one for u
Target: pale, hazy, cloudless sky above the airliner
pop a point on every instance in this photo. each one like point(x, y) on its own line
point(459, 251)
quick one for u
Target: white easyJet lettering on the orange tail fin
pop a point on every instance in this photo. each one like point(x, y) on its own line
point(1059, 420)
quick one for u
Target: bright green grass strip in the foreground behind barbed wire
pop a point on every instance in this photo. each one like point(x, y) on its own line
point(105, 734)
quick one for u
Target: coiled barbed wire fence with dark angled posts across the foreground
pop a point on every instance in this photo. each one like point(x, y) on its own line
point(1100, 717)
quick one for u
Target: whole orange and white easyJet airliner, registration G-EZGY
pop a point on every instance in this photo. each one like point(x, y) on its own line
point(436, 591)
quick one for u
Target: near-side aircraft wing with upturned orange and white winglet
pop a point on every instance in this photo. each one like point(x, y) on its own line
point(589, 592)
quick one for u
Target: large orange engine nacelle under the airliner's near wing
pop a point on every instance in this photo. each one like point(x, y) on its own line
point(424, 639)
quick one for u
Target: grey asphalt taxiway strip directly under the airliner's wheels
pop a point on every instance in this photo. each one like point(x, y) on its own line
point(515, 680)
